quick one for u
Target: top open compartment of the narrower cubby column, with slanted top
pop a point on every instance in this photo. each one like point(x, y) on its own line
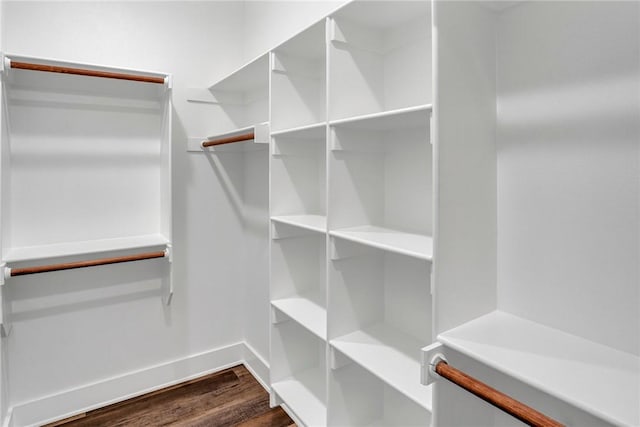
point(298, 80)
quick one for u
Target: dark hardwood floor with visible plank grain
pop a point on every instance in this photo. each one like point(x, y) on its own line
point(228, 398)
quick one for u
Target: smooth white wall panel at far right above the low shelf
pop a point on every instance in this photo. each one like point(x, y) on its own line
point(568, 187)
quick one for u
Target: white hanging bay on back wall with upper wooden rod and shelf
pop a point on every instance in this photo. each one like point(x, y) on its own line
point(86, 162)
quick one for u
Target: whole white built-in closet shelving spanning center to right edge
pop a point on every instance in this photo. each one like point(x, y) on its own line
point(430, 191)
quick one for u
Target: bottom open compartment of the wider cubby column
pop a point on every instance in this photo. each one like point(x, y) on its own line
point(357, 398)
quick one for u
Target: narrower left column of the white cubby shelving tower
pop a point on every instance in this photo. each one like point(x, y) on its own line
point(298, 226)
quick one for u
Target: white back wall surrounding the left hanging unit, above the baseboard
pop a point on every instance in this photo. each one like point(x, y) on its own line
point(74, 328)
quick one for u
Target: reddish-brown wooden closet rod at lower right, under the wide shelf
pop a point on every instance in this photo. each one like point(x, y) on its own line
point(490, 395)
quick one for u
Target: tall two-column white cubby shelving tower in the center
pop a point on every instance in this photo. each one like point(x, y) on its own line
point(350, 170)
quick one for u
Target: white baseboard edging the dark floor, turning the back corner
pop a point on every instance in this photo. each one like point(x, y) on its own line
point(92, 396)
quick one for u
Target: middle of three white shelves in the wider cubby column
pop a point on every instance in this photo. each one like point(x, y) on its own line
point(415, 245)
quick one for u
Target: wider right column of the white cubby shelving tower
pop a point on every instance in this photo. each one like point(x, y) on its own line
point(380, 212)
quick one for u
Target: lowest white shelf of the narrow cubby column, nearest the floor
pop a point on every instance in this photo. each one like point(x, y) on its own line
point(300, 395)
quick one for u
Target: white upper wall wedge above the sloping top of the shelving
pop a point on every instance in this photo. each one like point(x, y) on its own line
point(269, 23)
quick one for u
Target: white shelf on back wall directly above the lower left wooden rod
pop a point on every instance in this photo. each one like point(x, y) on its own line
point(83, 248)
